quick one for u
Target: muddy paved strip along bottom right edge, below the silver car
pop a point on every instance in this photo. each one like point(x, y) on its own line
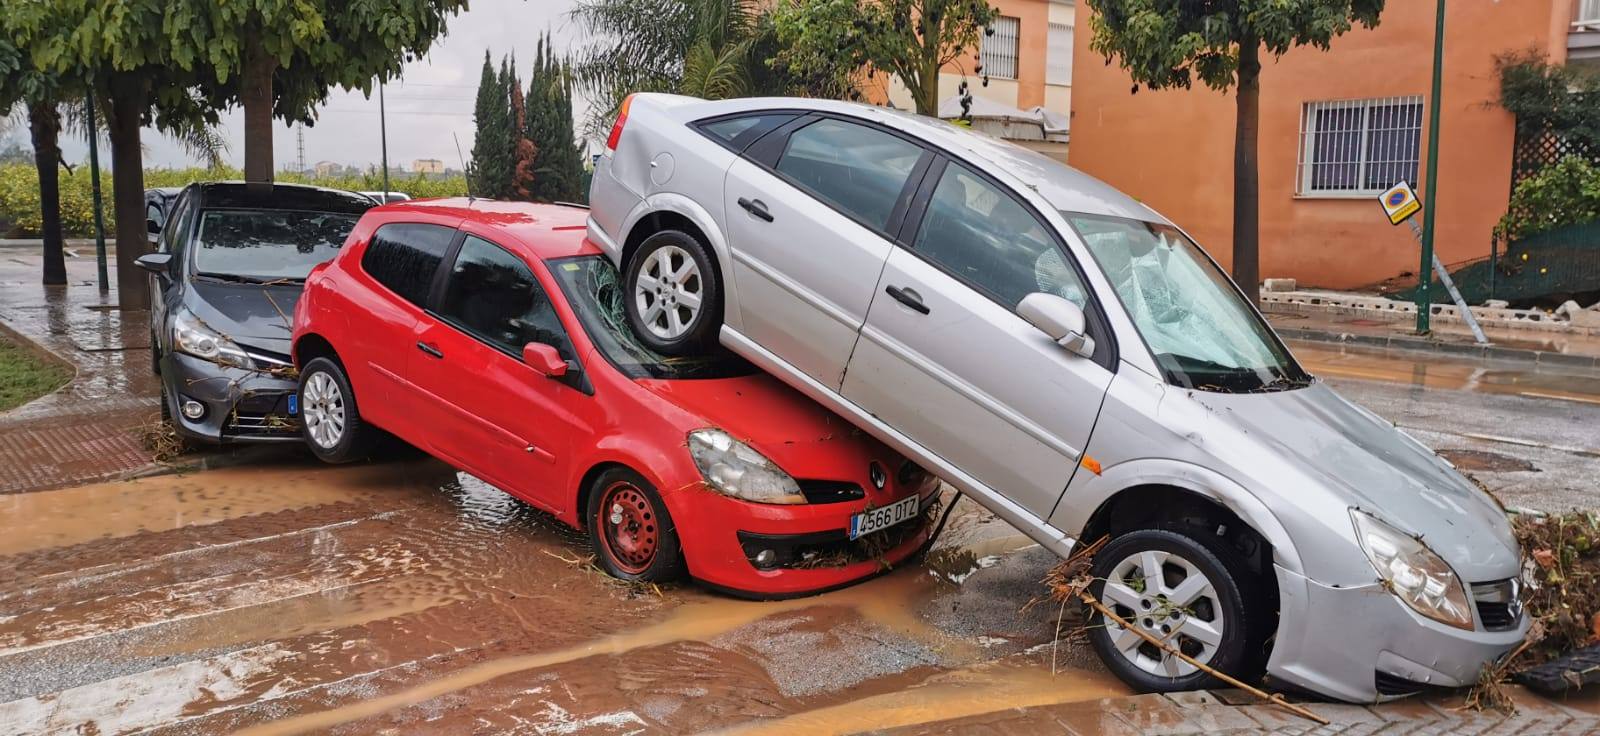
point(1236, 713)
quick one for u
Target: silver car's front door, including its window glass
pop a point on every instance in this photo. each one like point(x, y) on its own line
point(945, 358)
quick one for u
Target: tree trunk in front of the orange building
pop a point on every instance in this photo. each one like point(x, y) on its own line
point(1247, 175)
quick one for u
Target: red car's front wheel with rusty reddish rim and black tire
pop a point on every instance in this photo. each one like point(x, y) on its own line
point(631, 530)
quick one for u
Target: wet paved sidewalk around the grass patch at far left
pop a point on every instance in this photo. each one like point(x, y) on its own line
point(89, 430)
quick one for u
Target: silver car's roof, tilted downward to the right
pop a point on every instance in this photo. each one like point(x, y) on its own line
point(1060, 185)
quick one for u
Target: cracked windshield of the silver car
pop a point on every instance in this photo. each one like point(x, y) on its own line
point(1204, 335)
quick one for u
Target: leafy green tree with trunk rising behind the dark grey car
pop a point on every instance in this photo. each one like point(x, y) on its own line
point(281, 58)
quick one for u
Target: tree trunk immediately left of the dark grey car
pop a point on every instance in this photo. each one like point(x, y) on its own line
point(127, 175)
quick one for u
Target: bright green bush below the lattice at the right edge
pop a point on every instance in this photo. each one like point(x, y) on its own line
point(1564, 194)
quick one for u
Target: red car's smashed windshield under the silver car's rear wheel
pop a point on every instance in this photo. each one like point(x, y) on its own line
point(594, 290)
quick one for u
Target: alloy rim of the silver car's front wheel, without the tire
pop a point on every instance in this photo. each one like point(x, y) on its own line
point(1170, 599)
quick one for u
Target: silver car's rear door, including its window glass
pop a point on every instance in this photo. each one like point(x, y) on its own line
point(810, 210)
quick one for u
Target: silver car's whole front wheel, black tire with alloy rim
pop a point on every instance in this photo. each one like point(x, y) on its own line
point(1228, 610)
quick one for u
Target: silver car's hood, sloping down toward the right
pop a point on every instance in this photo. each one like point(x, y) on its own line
point(1367, 463)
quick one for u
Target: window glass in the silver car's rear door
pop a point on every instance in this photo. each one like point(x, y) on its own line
point(852, 167)
